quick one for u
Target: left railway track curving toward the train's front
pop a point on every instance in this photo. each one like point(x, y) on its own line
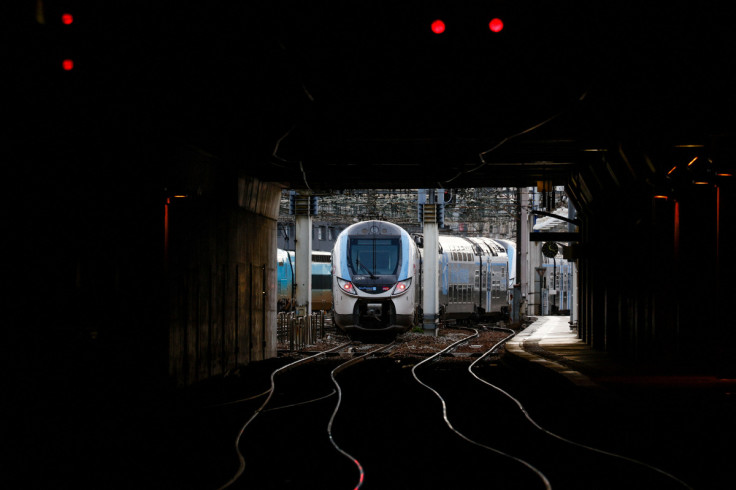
point(284, 442)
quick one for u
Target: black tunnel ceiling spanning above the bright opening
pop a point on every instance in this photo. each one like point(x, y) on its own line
point(360, 94)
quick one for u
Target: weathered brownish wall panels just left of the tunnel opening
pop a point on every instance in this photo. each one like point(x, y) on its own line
point(221, 270)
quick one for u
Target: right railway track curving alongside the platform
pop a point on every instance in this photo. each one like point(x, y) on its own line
point(558, 461)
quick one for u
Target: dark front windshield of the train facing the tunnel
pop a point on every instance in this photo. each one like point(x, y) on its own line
point(374, 257)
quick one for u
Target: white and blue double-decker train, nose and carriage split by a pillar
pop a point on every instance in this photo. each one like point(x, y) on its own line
point(377, 278)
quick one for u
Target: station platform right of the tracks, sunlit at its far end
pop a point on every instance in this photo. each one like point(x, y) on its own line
point(675, 415)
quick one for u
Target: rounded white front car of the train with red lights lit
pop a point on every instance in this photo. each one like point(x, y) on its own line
point(375, 268)
